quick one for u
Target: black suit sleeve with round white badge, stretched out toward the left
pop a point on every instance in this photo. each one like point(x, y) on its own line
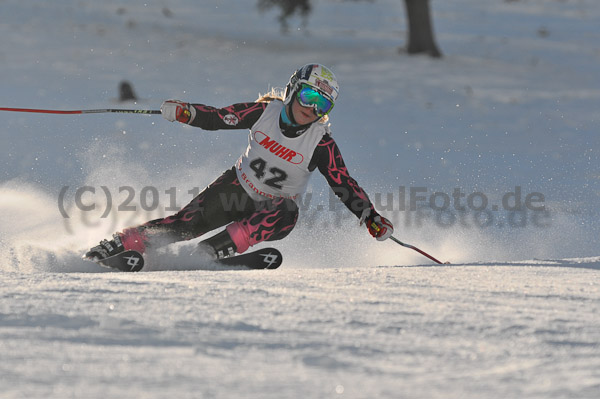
point(236, 116)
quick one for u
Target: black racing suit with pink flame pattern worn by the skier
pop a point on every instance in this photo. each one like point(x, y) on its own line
point(225, 201)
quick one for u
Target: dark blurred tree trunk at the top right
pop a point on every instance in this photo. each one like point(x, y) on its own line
point(420, 30)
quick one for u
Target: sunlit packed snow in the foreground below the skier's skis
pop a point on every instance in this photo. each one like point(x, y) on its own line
point(484, 331)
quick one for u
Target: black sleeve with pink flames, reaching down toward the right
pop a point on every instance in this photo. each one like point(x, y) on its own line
point(328, 158)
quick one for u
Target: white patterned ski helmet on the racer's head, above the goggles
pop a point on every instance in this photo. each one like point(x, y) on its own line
point(318, 77)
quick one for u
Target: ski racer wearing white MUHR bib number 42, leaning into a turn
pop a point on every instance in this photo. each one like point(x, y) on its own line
point(256, 199)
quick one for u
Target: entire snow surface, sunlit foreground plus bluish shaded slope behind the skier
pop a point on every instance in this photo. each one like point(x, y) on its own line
point(515, 102)
